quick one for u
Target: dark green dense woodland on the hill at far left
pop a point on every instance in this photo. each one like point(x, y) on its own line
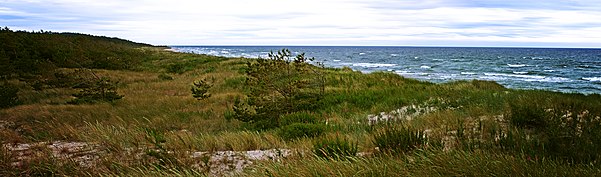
point(34, 54)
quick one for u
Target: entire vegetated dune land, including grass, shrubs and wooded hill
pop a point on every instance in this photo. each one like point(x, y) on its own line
point(81, 105)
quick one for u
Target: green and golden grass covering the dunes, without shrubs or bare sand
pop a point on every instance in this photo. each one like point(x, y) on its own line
point(479, 127)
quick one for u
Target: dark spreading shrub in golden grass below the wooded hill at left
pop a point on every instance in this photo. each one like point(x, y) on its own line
point(98, 90)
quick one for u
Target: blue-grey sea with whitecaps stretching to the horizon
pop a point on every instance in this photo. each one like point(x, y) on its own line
point(563, 70)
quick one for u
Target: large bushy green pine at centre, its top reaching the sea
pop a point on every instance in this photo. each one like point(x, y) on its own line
point(280, 85)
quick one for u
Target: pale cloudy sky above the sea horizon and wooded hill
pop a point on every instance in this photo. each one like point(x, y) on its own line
point(475, 23)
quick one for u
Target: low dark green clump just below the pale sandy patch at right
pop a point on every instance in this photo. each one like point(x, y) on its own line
point(399, 140)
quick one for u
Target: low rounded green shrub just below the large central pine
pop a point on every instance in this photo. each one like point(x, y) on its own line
point(301, 130)
